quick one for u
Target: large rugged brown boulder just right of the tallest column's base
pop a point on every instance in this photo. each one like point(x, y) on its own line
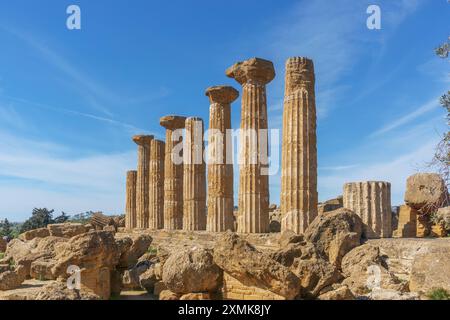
point(335, 233)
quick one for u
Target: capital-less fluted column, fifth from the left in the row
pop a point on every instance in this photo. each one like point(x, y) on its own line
point(194, 179)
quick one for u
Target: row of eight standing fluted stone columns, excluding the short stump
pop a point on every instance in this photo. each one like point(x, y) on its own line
point(180, 201)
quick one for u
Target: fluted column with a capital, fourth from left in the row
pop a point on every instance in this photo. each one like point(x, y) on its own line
point(173, 172)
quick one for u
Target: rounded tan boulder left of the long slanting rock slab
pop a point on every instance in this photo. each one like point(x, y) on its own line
point(191, 270)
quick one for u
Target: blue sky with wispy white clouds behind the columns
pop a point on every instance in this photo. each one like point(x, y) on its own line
point(71, 100)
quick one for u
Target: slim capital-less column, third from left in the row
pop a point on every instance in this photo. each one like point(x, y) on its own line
point(156, 206)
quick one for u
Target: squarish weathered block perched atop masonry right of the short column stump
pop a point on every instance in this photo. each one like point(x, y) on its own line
point(426, 192)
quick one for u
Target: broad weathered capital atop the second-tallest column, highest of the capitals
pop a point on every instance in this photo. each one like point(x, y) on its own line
point(252, 70)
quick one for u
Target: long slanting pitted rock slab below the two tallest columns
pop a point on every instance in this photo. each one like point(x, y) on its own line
point(253, 268)
